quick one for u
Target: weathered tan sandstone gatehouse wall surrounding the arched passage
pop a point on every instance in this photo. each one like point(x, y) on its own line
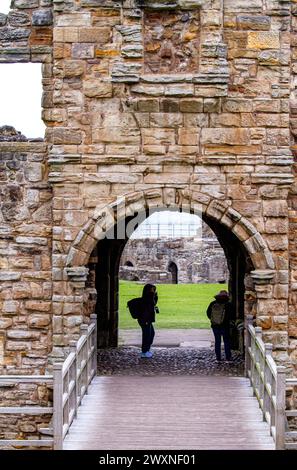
point(164, 103)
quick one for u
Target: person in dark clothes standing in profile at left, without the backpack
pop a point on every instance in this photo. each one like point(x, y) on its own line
point(147, 318)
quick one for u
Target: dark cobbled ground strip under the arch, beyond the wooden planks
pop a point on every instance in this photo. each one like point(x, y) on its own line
point(126, 360)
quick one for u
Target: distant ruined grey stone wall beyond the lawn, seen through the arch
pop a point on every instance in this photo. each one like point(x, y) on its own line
point(198, 260)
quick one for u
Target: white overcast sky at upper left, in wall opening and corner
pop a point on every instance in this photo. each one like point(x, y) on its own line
point(20, 94)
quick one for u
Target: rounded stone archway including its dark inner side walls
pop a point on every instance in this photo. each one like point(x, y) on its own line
point(250, 261)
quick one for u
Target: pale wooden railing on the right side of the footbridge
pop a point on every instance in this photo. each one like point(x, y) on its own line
point(269, 384)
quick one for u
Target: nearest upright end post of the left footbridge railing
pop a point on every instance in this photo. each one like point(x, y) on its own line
point(58, 420)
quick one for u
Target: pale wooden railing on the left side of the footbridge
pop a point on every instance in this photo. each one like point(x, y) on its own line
point(70, 382)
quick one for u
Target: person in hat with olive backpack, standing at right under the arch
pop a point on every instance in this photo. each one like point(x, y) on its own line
point(220, 313)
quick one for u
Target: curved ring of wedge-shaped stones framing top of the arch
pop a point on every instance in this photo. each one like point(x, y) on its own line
point(218, 210)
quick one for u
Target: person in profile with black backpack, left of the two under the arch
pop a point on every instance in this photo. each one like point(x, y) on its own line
point(144, 309)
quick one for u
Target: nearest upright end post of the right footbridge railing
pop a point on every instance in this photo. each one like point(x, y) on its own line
point(280, 411)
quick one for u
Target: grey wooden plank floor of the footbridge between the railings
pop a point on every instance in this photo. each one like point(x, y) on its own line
point(176, 412)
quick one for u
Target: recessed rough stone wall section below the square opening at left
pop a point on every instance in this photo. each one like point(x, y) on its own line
point(25, 254)
